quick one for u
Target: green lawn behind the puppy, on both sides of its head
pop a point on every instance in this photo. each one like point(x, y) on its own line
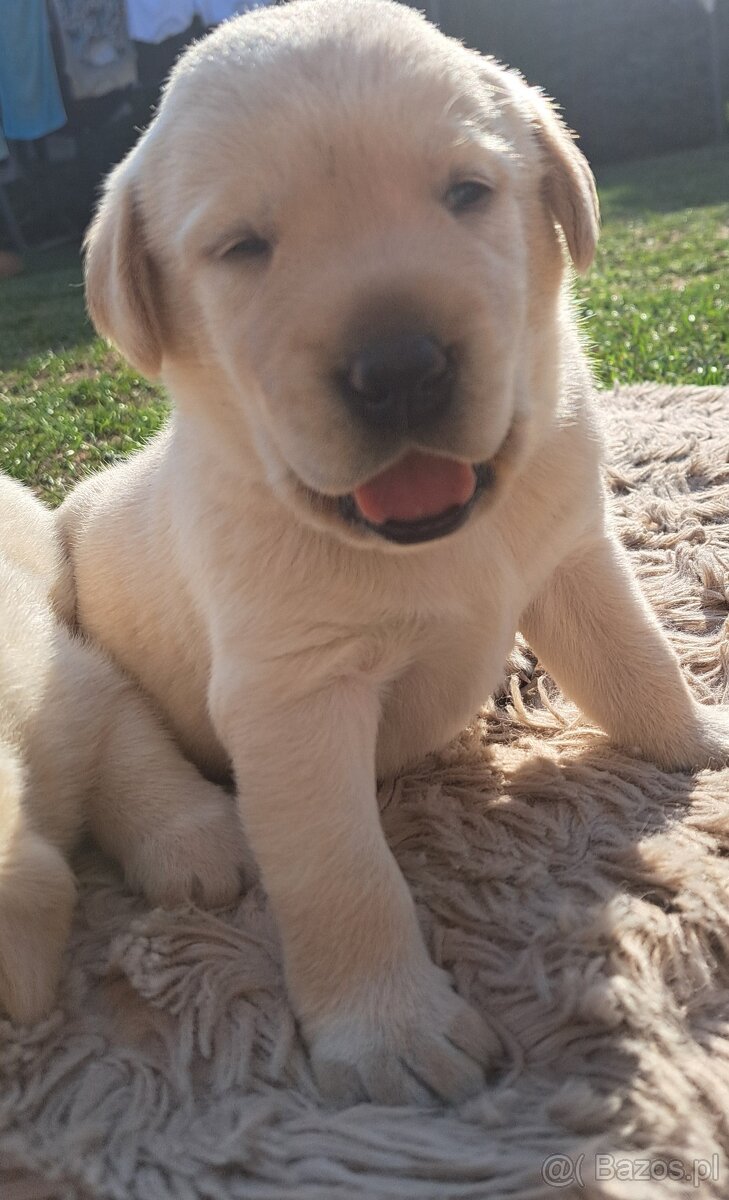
point(655, 305)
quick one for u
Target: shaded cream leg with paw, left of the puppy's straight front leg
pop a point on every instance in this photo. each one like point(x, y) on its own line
point(177, 836)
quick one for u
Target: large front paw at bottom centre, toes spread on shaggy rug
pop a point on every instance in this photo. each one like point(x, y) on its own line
point(409, 1042)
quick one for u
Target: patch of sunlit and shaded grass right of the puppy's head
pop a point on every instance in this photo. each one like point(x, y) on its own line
point(656, 303)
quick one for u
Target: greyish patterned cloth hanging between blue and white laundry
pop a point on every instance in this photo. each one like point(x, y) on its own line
point(98, 53)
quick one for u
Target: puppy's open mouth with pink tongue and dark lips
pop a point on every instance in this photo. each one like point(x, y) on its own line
point(420, 499)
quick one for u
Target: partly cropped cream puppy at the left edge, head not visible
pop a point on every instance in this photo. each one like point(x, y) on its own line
point(80, 746)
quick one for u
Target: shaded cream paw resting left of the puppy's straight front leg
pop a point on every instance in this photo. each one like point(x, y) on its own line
point(200, 855)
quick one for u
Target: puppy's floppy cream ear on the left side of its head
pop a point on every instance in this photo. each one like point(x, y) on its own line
point(123, 287)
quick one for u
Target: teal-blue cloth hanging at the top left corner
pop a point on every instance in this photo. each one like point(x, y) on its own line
point(31, 98)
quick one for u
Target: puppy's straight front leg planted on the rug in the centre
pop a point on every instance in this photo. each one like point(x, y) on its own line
point(381, 1019)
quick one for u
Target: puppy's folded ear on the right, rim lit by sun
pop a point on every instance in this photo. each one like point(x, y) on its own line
point(569, 183)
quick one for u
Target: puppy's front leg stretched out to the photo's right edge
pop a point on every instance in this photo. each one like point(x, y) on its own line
point(599, 638)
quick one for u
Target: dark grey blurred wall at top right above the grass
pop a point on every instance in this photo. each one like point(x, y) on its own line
point(635, 77)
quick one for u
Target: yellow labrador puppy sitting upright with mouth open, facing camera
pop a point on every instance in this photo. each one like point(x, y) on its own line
point(341, 245)
